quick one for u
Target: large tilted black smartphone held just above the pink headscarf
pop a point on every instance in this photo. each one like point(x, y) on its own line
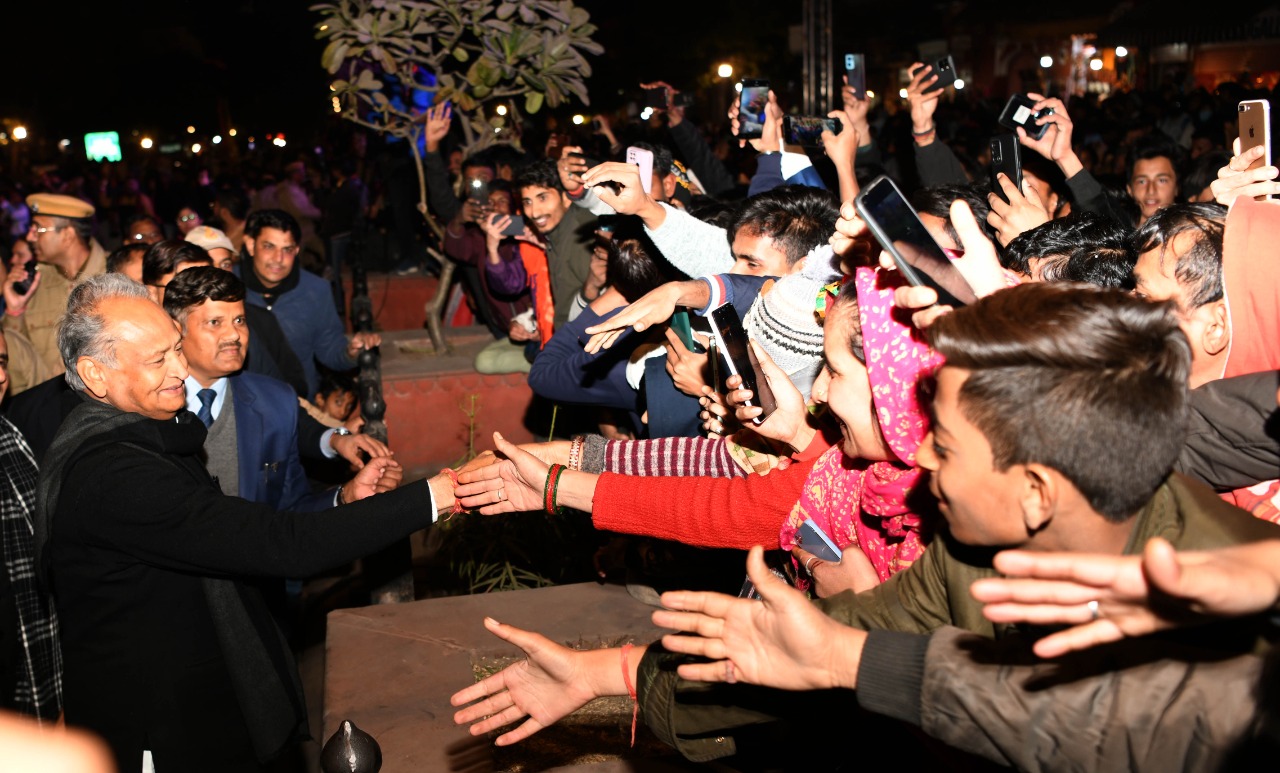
point(900, 232)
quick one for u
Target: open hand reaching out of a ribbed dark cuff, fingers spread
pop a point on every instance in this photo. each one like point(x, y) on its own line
point(780, 642)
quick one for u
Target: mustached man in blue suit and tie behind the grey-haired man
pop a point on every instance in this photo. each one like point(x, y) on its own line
point(253, 449)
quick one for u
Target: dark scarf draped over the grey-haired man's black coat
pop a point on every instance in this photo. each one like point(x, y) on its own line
point(259, 661)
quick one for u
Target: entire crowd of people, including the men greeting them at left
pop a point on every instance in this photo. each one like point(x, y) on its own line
point(1053, 511)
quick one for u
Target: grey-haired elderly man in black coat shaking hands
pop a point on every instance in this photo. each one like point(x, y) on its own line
point(170, 655)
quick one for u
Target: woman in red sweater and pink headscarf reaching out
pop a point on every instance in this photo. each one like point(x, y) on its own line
point(858, 488)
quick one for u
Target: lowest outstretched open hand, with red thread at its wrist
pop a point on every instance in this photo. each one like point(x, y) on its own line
point(551, 684)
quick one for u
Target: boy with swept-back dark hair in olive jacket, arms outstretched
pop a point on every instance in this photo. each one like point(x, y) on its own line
point(1059, 417)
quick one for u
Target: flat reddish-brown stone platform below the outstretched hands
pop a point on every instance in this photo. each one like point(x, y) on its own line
point(392, 669)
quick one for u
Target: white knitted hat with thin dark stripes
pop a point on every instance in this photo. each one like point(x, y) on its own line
point(784, 322)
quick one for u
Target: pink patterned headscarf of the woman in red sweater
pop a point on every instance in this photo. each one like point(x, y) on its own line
point(862, 504)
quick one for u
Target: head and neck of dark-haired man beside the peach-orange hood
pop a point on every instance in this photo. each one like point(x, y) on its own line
point(1181, 259)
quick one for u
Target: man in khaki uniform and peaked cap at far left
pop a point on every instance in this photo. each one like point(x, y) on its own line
point(61, 237)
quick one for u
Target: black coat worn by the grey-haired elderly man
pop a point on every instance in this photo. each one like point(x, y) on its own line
point(138, 529)
